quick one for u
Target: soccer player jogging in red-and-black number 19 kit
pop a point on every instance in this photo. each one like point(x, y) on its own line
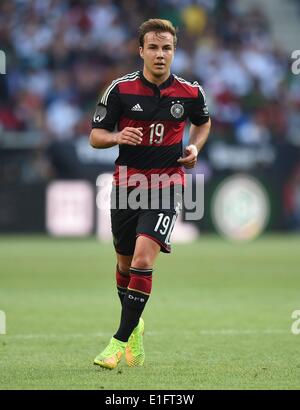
point(145, 114)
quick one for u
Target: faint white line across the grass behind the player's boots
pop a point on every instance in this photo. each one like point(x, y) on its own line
point(204, 332)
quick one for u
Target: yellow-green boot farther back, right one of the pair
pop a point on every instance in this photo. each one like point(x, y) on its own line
point(134, 352)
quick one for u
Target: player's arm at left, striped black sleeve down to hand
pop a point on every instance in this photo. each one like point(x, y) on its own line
point(107, 114)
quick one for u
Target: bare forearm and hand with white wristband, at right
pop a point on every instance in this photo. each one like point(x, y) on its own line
point(198, 137)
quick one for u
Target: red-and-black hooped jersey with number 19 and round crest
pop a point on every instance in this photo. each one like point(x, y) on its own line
point(162, 111)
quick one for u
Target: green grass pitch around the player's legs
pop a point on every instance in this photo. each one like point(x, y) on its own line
point(219, 316)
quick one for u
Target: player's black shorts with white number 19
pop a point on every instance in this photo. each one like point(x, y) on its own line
point(156, 222)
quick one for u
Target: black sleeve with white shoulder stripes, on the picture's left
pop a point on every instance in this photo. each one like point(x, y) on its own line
point(108, 109)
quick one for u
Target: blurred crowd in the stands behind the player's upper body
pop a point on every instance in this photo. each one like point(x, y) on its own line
point(62, 53)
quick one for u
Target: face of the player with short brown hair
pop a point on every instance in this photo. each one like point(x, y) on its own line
point(158, 54)
